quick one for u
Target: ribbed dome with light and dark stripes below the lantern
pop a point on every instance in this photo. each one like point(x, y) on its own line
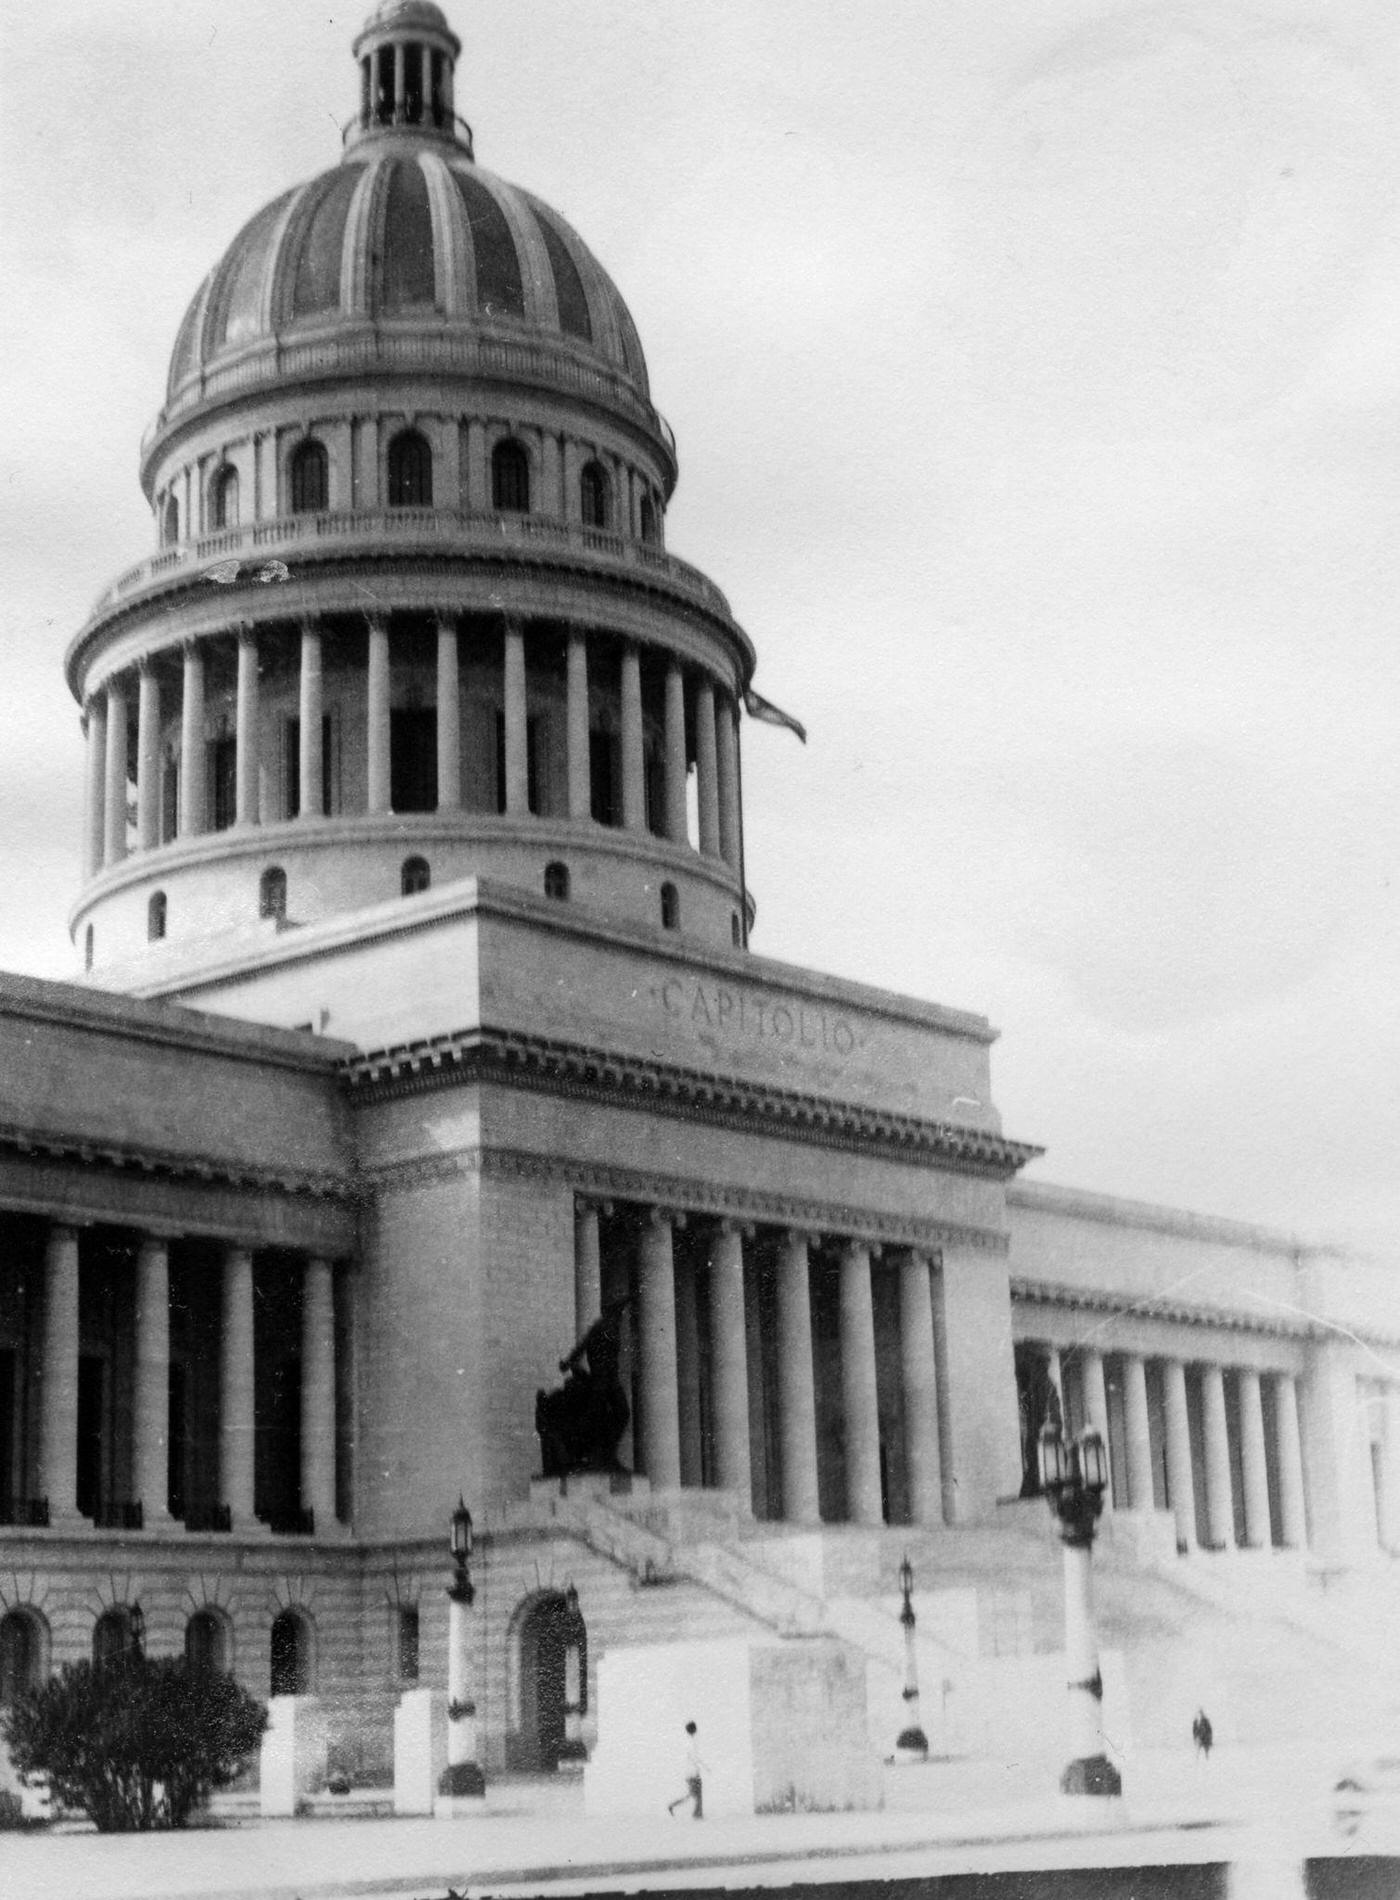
point(406, 235)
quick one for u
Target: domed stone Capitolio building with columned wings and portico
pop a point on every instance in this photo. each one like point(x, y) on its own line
point(423, 1021)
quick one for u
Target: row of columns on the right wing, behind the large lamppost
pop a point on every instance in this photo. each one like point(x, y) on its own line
point(1137, 1483)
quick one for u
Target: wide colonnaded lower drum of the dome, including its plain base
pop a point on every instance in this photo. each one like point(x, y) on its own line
point(493, 742)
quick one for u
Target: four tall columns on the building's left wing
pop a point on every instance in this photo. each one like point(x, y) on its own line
point(58, 1462)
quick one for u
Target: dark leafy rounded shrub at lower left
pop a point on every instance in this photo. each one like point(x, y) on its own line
point(138, 1743)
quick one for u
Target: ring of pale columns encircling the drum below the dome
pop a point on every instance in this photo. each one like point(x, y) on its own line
point(717, 742)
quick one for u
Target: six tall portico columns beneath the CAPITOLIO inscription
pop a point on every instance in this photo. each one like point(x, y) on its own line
point(668, 1348)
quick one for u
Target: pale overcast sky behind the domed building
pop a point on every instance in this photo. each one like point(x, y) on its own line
point(1036, 370)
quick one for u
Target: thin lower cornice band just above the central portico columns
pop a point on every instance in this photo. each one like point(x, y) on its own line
point(685, 1194)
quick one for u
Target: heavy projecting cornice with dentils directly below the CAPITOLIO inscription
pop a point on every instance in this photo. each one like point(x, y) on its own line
point(599, 1076)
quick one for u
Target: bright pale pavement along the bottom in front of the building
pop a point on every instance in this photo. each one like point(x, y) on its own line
point(535, 1838)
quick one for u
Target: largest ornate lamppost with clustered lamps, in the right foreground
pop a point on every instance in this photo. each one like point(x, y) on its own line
point(1074, 1479)
